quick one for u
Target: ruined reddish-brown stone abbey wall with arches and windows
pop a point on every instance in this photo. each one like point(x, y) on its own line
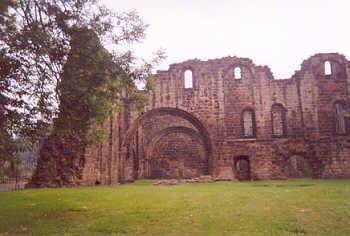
point(227, 118)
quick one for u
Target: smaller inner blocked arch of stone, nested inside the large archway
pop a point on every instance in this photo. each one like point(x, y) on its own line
point(176, 152)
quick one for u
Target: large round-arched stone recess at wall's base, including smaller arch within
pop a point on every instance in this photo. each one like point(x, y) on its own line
point(166, 143)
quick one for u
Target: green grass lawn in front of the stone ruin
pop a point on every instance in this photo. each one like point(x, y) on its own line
point(293, 207)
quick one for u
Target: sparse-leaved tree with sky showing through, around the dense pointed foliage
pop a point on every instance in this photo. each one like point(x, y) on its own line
point(35, 39)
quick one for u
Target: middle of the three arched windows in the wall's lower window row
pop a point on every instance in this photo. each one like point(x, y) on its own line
point(278, 120)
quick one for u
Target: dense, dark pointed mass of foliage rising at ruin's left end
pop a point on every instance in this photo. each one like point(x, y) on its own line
point(90, 89)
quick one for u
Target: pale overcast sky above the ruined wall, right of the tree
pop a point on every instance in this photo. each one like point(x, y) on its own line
point(277, 33)
